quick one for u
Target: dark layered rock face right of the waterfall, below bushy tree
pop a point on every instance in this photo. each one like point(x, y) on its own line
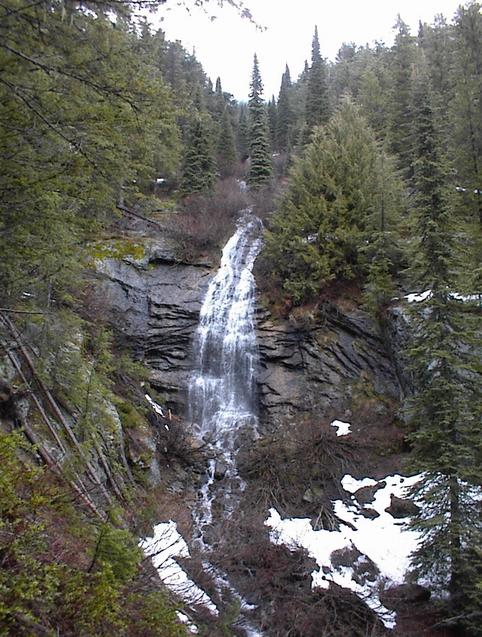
point(312, 367)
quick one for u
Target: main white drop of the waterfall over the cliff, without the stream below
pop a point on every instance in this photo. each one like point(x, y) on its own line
point(222, 392)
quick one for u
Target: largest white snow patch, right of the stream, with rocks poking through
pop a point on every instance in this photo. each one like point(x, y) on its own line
point(383, 541)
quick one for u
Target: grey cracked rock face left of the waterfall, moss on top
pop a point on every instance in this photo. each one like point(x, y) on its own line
point(154, 303)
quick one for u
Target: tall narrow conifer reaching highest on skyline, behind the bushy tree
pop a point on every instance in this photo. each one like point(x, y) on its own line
point(317, 110)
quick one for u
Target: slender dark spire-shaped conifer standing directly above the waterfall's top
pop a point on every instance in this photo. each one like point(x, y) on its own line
point(259, 148)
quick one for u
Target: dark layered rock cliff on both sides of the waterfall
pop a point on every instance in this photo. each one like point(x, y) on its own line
point(305, 366)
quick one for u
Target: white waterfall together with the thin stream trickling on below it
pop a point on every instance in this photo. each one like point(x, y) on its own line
point(222, 394)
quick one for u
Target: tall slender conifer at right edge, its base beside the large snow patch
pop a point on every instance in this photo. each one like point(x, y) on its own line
point(443, 411)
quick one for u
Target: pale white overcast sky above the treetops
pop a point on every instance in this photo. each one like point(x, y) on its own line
point(225, 46)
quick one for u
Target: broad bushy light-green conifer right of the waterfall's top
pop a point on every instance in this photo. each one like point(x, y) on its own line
point(337, 190)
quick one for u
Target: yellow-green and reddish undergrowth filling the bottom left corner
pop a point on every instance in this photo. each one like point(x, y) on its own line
point(41, 592)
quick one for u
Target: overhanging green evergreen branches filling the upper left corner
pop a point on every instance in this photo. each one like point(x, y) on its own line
point(77, 134)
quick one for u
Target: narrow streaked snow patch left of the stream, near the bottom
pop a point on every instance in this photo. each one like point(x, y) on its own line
point(164, 547)
